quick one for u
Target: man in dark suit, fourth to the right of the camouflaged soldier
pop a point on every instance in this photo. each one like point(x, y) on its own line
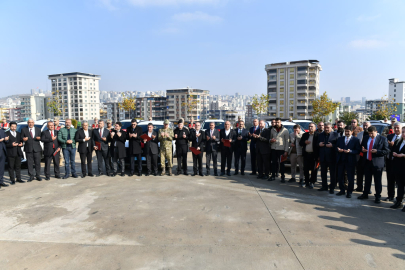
point(226, 152)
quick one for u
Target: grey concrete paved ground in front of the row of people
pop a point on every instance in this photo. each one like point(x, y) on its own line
point(193, 223)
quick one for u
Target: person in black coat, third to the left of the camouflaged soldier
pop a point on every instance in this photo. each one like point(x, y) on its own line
point(118, 138)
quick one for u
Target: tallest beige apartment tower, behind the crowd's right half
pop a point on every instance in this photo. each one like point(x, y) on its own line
point(292, 87)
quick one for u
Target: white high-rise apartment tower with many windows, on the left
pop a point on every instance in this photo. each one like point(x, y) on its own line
point(78, 94)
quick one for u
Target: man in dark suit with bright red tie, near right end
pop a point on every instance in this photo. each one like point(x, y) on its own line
point(375, 149)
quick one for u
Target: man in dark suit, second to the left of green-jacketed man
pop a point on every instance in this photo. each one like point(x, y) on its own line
point(31, 136)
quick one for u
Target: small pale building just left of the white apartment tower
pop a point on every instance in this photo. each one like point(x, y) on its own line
point(32, 106)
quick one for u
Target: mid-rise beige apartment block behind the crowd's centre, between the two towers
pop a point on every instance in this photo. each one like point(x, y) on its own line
point(186, 103)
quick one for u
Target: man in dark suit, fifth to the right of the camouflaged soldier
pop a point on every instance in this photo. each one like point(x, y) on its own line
point(242, 137)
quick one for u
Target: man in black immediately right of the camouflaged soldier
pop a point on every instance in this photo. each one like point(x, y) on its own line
point(181, 136)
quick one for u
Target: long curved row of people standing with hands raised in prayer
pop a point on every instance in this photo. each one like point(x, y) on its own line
point(341, 151)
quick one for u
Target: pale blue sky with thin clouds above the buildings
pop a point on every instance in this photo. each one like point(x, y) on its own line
point(217, 45)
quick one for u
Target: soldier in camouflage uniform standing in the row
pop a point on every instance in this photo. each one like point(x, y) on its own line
point(165, 138)
